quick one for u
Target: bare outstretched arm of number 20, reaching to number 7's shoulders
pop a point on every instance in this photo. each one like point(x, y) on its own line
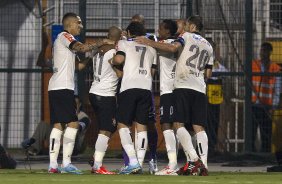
point(167, 47)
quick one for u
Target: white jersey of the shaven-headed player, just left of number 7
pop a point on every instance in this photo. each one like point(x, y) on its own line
point(105, 79)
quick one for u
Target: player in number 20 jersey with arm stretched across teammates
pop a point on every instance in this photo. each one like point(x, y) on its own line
point(192, 67)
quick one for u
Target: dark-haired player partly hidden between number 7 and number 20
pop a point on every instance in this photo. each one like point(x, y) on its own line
point(167, 30)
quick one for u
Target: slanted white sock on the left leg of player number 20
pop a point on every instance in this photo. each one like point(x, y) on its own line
point(186, 142)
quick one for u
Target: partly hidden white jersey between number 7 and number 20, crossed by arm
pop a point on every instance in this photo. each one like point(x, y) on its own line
point(167, 69)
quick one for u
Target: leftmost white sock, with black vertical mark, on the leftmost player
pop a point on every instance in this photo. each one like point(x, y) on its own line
point(54, 147)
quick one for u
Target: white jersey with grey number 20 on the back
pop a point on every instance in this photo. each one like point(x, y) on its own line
point(190, 66)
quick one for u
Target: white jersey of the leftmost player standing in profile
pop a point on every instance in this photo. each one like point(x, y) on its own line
point(64, 63)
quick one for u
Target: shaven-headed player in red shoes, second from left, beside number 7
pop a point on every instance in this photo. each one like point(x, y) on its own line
point(102, 98)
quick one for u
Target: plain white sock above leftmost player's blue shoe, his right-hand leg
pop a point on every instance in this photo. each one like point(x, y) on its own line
point(68, 145)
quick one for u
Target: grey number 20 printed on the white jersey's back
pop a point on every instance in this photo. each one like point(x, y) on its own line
point(199, 59)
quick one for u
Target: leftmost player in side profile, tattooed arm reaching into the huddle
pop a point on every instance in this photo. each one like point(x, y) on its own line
point(61, 93)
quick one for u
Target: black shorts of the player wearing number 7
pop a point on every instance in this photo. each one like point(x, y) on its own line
point(134, 105)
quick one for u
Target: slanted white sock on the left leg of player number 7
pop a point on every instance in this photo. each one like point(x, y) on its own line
point(127, 144)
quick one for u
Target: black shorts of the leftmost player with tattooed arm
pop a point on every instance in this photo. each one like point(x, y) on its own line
point(62, 106)
